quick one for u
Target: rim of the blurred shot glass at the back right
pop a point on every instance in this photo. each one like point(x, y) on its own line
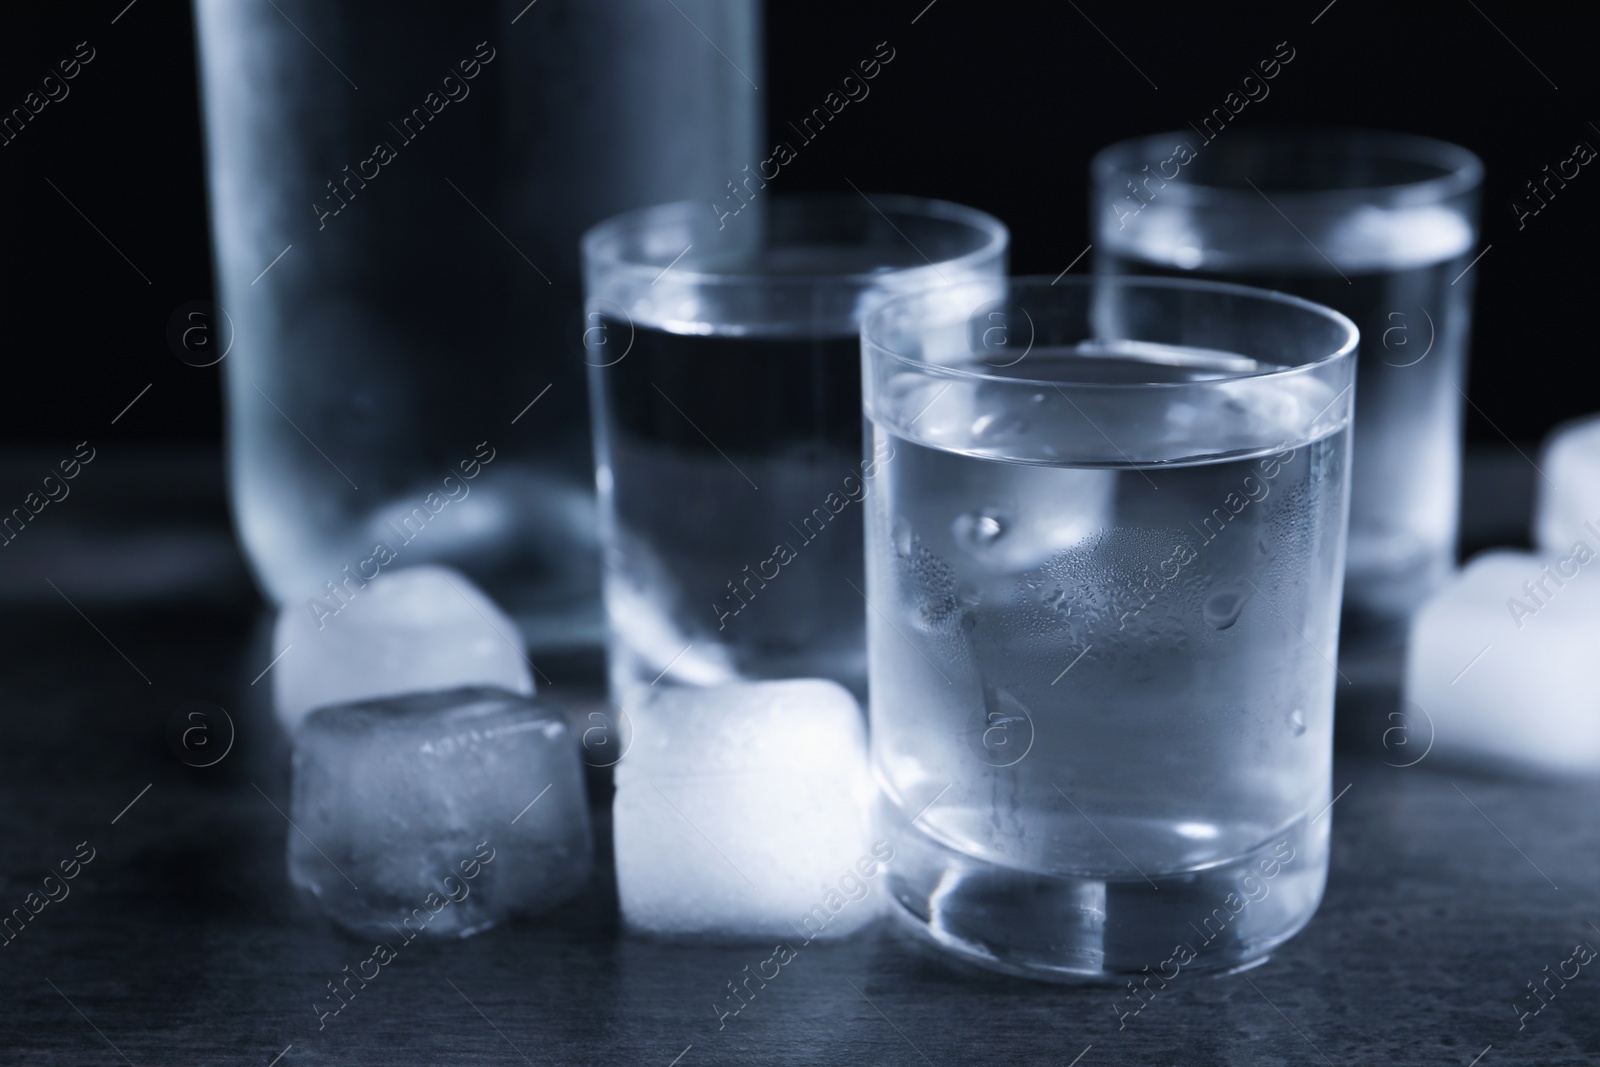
point(1460, 169)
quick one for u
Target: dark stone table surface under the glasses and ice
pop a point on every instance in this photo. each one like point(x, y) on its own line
point(182, 943)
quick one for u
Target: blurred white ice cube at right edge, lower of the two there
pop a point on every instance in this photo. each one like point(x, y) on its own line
point(1505, 665)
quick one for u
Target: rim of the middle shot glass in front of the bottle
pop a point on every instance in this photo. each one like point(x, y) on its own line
point(601, 242)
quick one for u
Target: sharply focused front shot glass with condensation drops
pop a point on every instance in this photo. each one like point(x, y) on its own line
point(1105, 564)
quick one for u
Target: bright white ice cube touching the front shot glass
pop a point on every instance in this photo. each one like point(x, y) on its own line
point(743, 812)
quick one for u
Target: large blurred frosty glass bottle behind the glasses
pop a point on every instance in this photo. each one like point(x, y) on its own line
point(398, 196)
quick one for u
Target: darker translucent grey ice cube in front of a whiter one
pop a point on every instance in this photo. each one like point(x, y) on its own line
point(438, 813)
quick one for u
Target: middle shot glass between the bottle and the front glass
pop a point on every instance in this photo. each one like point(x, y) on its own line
point(726, 382)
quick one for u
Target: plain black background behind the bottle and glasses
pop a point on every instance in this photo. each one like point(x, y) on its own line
point(991, 105)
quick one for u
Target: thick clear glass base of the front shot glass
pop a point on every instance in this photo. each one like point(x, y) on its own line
point(1071, 929)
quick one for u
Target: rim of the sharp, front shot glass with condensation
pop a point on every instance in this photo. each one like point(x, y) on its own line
point(874, 348)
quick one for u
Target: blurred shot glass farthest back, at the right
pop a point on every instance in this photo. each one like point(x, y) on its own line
point(1378, 226)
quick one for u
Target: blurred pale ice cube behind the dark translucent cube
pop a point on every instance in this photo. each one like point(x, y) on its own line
point(422, 628)
